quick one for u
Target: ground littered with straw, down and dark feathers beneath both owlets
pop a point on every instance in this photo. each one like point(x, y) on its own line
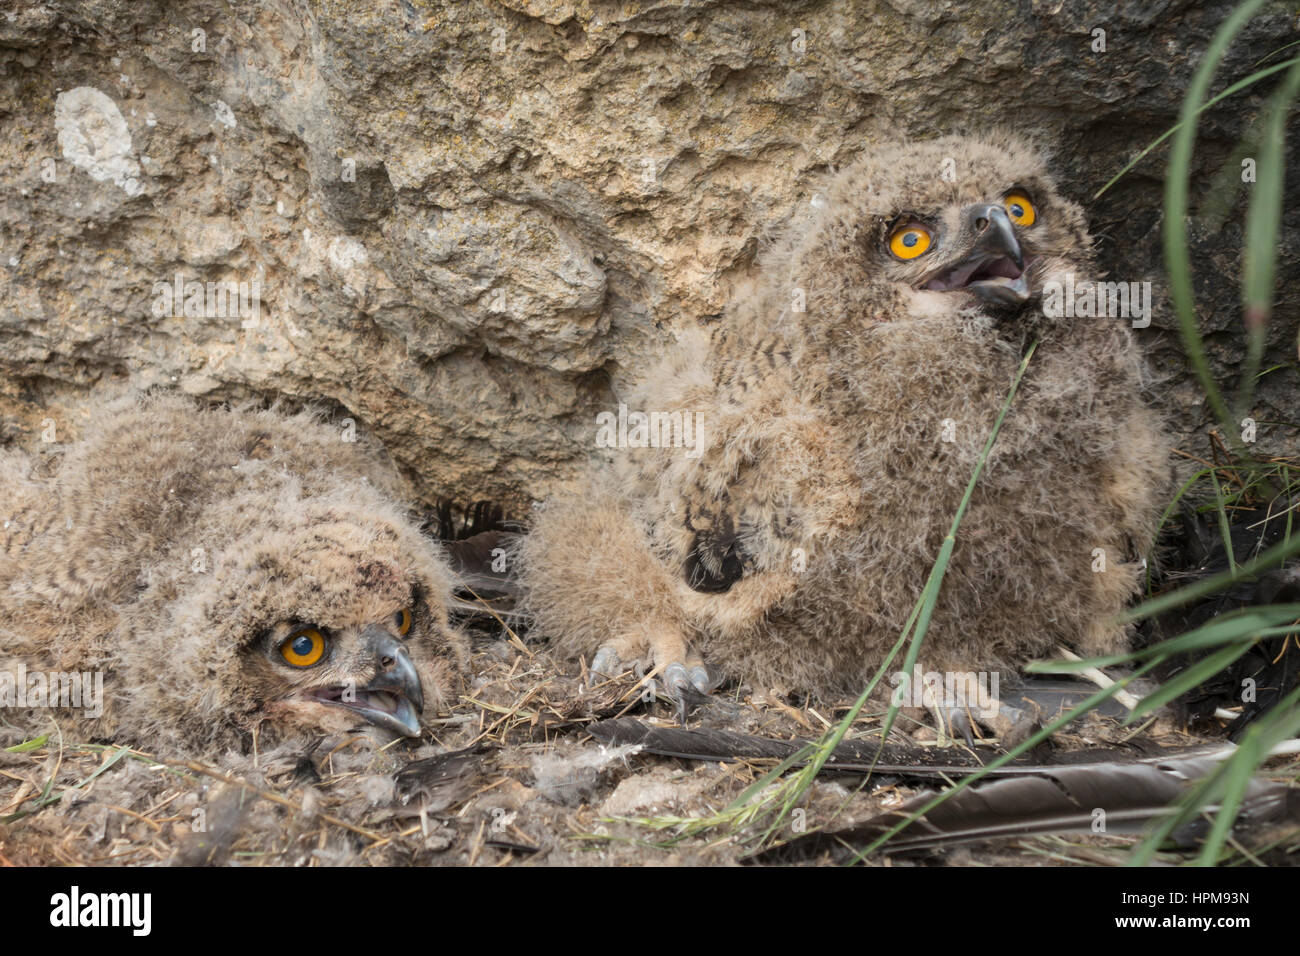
point(535, 767)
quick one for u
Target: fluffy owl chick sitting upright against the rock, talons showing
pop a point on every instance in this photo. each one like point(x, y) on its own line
point(840, 408)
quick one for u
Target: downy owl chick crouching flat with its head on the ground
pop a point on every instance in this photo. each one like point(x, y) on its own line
point(224, 573)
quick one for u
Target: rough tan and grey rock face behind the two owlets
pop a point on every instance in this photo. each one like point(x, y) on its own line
point(469, 226)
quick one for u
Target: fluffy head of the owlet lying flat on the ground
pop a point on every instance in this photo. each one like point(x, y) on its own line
point(332, 616)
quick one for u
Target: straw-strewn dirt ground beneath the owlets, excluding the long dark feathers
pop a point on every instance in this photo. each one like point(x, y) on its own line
point(513, 777)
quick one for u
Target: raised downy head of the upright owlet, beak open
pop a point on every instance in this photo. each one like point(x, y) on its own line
point(931, 228)
